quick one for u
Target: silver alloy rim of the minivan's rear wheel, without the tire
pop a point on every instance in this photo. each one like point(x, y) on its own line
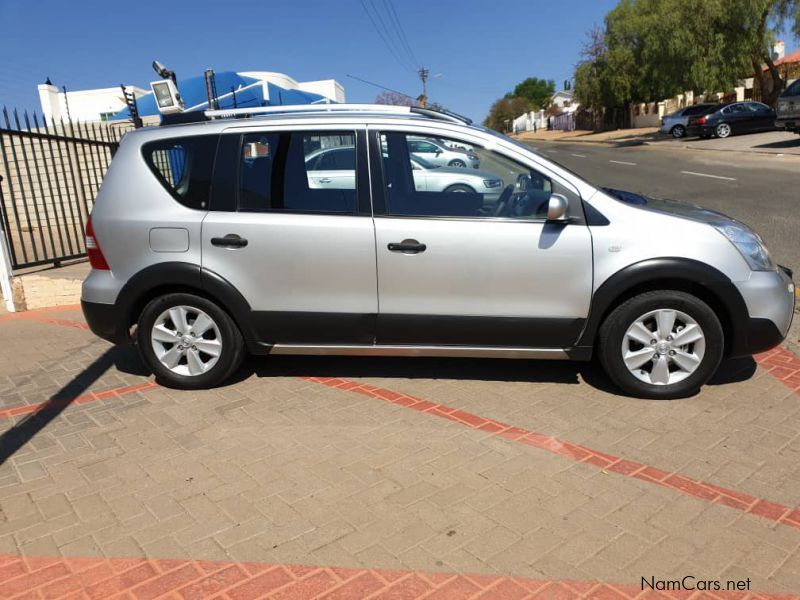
point(186, 340)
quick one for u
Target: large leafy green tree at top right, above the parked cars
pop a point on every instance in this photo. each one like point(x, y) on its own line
point(653, 49)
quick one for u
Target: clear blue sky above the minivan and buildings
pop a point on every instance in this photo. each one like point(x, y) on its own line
point(477, 50)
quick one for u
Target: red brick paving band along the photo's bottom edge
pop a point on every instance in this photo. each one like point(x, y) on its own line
point(140, 578)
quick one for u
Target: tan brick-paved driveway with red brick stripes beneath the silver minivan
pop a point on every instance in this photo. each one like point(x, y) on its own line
point(399, 478)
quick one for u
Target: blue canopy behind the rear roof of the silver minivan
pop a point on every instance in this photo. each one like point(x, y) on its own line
point(247, 92)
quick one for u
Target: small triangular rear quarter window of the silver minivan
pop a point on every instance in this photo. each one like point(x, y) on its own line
point(184, 167)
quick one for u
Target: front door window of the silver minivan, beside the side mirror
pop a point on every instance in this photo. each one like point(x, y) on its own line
point(497, 187)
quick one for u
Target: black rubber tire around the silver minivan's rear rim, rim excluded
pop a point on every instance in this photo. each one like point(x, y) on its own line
point(230, 357)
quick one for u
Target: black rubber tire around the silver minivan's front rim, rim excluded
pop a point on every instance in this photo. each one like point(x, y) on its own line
point(613, 330)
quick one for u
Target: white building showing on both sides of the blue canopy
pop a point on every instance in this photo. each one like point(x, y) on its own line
point(102, 103)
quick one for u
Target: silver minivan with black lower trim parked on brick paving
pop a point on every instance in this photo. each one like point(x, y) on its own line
point(216, 238)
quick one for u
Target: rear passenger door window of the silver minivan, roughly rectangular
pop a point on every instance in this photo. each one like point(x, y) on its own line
point(298, 172)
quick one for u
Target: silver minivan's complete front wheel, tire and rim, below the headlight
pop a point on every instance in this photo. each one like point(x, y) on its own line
point(661, 345)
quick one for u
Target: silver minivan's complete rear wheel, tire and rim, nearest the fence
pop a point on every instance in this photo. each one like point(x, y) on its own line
point(188, 341)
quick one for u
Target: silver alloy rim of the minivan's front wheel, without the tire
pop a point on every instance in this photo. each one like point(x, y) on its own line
point(663, 347)
